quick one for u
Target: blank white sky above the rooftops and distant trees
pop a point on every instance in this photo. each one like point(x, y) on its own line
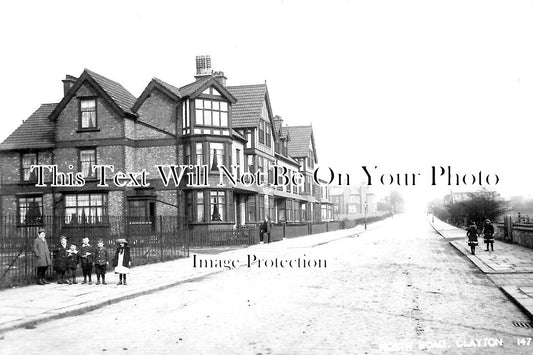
point(397, 85)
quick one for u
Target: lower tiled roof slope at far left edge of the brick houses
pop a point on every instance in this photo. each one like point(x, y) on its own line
point(35, 132)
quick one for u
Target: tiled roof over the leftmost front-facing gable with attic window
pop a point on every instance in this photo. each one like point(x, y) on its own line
point(119, 98)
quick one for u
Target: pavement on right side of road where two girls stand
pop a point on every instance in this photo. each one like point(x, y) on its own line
point(509, 266)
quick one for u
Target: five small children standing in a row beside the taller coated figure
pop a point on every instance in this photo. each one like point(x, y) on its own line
point(67, 258)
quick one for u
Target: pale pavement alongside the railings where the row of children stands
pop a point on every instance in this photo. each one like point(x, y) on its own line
point(25, 307)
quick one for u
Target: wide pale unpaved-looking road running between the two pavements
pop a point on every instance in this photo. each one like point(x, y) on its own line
point(398, 288)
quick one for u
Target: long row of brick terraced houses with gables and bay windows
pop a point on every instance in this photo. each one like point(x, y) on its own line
point(99, 122)
